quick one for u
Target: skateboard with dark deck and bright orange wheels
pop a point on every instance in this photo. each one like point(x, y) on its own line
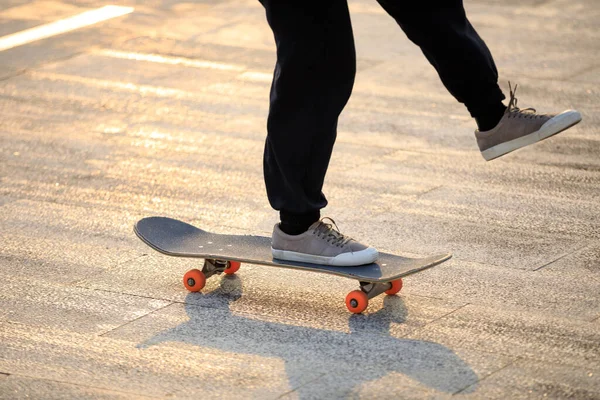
point(225, 253)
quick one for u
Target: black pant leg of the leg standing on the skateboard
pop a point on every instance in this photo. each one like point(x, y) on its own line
point(312, 82)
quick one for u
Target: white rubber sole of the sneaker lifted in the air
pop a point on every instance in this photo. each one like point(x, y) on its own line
point(559, 123)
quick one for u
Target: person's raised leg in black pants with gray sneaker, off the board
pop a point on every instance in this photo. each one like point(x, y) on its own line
point(467, 69)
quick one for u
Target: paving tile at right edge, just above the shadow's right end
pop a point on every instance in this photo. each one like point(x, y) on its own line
point(536, 337)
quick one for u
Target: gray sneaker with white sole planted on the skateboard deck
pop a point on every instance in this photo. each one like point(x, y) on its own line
point(321, 244)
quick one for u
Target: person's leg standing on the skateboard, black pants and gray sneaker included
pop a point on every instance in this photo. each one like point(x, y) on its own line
point(313, 80)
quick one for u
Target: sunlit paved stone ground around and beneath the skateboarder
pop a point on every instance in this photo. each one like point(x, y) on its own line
point(162, 112)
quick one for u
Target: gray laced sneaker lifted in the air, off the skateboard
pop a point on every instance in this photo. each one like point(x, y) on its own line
point(519, 128)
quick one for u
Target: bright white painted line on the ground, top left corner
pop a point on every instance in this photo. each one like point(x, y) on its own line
point(61, 26)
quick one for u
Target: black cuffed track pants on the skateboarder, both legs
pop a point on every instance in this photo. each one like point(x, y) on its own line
point(314, 75)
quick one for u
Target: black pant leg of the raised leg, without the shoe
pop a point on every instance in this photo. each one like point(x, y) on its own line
point(451, 44)
